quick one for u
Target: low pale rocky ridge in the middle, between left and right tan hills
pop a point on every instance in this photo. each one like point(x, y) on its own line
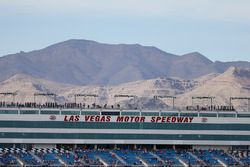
point(142, 88)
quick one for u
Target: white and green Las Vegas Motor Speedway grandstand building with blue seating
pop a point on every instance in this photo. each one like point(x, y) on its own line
point(75, 134)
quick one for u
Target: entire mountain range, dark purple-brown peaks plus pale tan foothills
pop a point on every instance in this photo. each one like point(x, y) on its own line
point(88, 67)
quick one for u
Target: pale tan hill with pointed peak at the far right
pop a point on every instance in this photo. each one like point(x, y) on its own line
point(234, 82)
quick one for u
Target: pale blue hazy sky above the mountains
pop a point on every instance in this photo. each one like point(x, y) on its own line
point(219, 29)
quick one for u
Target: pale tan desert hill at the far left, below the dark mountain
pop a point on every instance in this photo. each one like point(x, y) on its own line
point(25, 86)
